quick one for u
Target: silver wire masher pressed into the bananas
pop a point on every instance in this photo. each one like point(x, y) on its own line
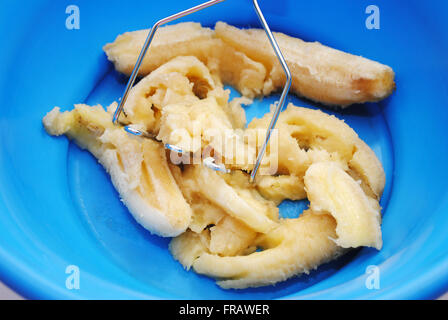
point(278, 108)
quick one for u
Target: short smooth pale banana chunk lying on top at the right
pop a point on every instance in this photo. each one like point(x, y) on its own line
point(331, 190)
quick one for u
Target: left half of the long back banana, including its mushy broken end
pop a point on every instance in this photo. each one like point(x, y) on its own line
point(188, 39)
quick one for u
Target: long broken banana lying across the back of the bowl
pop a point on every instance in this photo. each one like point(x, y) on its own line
point(244, 59)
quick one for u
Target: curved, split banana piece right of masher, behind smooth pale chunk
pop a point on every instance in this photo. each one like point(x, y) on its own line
point(308, 136)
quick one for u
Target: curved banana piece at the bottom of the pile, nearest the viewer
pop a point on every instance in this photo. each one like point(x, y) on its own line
point(294, 247)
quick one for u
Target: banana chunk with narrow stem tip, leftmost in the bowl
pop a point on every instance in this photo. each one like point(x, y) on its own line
point(138, 168)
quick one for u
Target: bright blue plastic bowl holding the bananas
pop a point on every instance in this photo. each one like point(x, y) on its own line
point(58, 207)
